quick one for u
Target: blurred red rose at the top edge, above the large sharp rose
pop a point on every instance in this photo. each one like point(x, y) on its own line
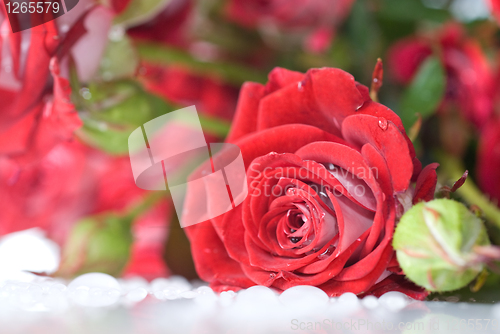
point(316, 18)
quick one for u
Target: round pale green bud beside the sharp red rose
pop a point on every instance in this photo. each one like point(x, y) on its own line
point(436, 244)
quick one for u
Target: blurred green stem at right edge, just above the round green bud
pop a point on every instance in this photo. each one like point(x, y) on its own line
point(454, 169)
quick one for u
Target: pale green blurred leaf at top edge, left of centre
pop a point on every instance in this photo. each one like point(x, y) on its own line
point(139, 11)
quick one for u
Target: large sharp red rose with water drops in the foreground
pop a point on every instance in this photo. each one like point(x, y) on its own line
point(329, 173)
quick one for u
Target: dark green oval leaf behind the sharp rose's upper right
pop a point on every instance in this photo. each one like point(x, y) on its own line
point(425, 92)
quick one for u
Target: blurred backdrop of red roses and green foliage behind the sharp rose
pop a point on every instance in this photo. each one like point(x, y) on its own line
point(73, 89)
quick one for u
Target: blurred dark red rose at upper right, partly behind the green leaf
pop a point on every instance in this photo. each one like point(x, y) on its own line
point(470, 79)
